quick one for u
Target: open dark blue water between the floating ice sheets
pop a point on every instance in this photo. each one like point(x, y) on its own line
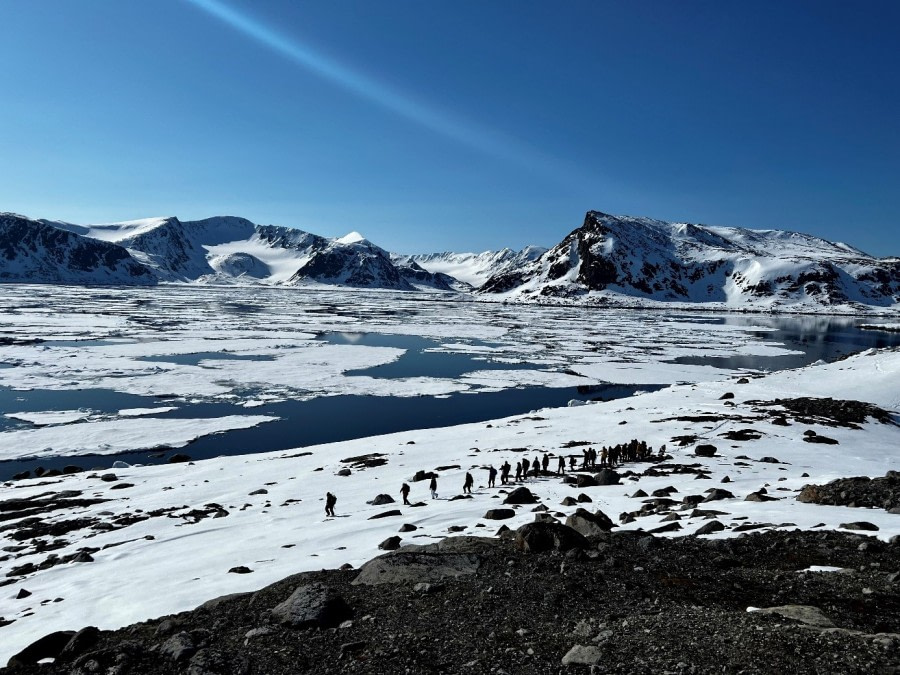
point(337, 418)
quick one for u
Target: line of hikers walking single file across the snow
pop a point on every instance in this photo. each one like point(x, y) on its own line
point(607, 457)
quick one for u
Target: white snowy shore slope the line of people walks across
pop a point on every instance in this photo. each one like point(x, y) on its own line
point(169, 539)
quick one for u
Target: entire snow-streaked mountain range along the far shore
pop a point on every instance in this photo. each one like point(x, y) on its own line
point(609, 259)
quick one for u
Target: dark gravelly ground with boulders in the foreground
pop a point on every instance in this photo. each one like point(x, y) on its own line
point(543, 599)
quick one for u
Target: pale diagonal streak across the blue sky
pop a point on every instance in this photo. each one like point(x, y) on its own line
point(474, 136)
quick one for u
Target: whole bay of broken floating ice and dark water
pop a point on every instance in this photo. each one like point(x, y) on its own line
point(232, 370)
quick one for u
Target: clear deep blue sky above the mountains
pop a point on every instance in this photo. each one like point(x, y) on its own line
point(461, 125)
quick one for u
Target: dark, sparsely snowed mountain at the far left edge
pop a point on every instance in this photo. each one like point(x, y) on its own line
point(31, 251)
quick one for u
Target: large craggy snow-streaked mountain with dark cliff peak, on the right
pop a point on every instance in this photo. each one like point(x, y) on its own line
point(611, 256)
